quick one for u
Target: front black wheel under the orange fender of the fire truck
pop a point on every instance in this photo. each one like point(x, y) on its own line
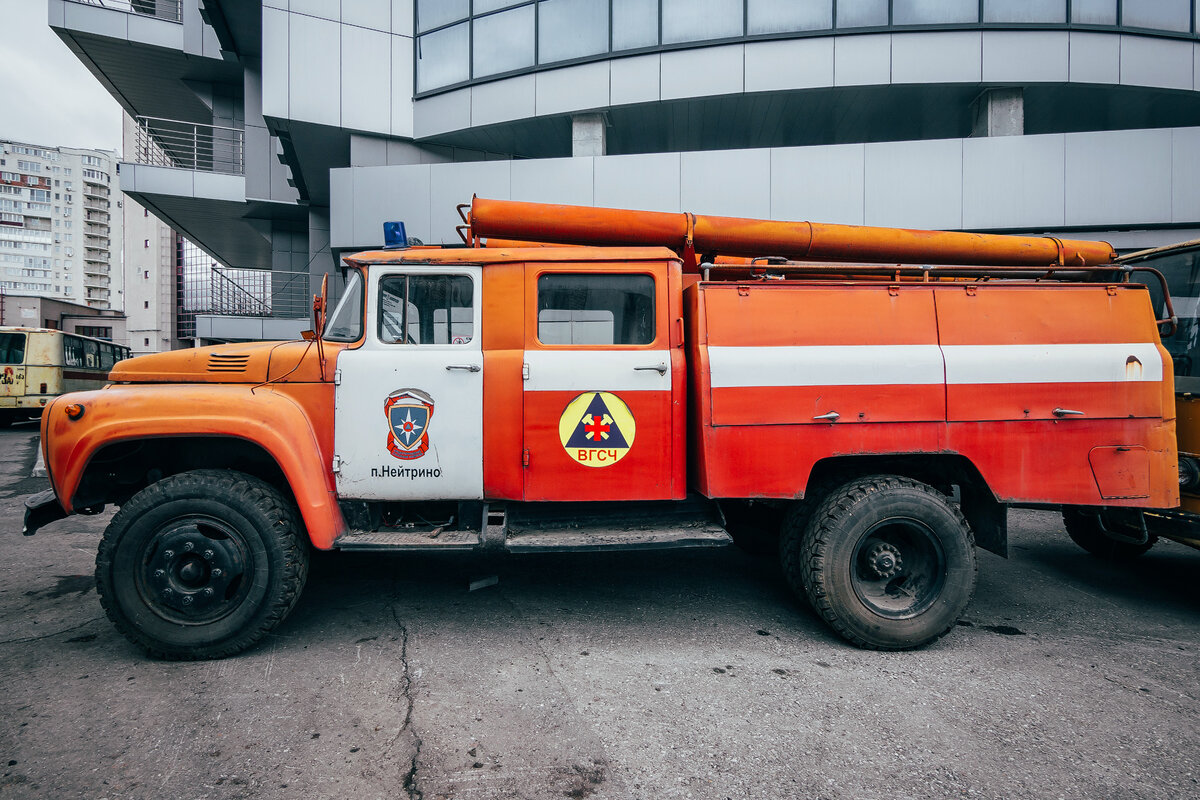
point(202, 564)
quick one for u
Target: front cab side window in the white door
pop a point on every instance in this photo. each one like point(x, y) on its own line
point(427, 310)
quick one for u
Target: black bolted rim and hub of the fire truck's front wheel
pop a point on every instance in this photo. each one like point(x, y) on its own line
point(194, 572)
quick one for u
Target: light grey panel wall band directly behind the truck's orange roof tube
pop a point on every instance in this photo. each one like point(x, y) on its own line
point(1039, 183)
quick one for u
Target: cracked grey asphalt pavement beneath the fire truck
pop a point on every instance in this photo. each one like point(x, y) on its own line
point(687, 675)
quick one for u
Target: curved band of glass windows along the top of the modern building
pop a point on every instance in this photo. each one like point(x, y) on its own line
point(465, 41)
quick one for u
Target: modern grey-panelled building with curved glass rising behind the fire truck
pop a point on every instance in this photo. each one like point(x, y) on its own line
point(281, 134)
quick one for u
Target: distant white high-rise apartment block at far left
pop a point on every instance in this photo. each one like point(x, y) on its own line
point(61, 224)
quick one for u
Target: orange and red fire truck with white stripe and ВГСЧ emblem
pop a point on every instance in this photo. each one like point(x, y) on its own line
point(598, 380)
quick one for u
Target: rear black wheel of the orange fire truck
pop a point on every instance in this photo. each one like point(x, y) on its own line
point(887, 562)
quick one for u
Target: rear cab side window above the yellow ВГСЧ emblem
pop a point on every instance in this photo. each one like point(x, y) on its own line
point(596, 309)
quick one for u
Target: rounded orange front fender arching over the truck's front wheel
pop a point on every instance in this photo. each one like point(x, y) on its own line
point(263, 417)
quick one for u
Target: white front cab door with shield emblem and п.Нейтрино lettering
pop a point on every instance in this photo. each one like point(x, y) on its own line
point(410, 404)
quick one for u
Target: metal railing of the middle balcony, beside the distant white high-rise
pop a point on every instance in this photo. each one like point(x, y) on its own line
point(190, 146)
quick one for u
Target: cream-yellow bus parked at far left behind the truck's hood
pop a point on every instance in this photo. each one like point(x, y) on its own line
point(38, 365)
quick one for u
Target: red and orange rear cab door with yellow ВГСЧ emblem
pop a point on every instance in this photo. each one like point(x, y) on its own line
point(599, 384)
